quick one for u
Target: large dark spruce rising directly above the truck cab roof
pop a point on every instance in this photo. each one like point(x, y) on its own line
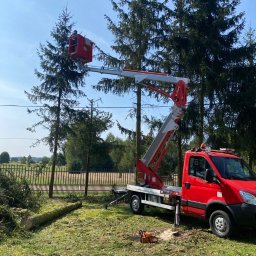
point(210, 33)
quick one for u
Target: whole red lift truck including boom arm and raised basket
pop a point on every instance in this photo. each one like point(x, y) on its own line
point(217, 185)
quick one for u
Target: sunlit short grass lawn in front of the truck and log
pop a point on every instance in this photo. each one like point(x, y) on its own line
point(93, 230)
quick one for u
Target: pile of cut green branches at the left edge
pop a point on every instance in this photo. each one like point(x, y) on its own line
point(15, 197)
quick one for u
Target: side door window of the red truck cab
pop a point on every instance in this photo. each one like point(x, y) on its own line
point(197, 166)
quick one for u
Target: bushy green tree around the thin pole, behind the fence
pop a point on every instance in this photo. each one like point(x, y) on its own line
point(85, 139)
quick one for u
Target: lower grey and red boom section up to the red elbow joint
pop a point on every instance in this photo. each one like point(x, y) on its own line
point(147, 167)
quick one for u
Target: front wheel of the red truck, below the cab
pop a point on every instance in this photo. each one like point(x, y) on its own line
point(221, 224)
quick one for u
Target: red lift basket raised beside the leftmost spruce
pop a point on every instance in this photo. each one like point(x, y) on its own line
point(80, 48)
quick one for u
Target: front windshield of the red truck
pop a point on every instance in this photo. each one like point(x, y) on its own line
point(233, 168)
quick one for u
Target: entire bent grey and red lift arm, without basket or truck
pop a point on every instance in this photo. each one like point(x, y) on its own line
point(147, 167)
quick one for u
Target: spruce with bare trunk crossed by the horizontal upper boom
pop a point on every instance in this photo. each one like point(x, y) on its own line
point(136, 36)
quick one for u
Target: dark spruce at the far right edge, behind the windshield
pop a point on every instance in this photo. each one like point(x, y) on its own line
point(241, 99)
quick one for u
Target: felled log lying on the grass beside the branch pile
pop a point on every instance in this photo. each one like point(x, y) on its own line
point(40, 219)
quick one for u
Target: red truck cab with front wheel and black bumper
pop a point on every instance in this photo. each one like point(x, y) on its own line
point(221, 187)
